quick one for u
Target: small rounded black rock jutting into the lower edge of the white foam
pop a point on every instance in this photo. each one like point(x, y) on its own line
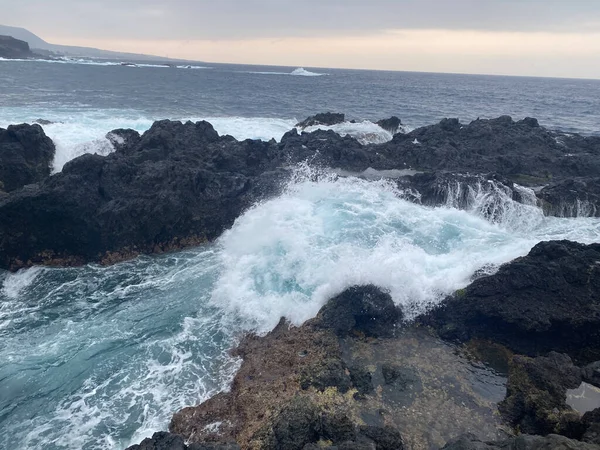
point(364, 309)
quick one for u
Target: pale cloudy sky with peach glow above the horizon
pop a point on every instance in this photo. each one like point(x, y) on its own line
point(509, 37)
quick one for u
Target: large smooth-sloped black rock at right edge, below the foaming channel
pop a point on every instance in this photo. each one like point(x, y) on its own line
point(547, 300)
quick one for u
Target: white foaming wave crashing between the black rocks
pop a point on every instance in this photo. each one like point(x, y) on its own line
point(287, 256)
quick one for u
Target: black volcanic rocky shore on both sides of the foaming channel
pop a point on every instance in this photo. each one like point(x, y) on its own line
point(493, 367)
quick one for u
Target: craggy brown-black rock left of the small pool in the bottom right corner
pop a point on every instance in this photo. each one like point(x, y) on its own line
point(536, 396)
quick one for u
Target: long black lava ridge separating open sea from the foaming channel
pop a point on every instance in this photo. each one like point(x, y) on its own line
point(181, 184)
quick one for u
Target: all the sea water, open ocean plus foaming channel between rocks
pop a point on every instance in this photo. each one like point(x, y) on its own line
point(100, 357)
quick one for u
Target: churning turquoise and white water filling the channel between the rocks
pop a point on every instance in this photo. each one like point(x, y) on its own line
point(98, 358)
